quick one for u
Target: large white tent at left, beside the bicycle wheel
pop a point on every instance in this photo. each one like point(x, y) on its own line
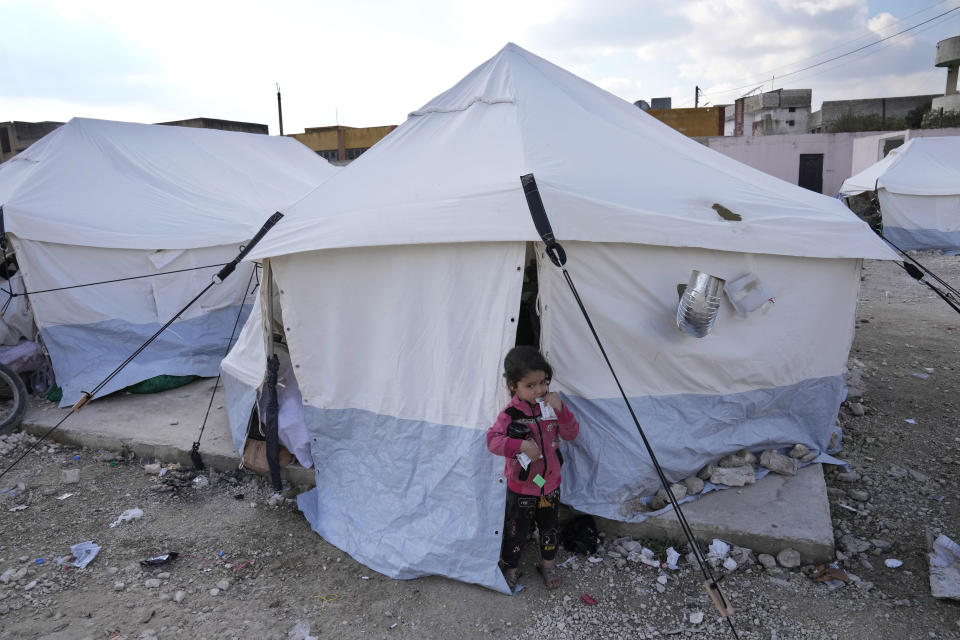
point(97, 200)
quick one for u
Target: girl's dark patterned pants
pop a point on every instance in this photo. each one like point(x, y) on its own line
point(521, 510)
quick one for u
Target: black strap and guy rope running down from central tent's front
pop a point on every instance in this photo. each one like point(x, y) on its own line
point(559, 258)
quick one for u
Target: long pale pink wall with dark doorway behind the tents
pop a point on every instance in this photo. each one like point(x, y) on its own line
point(817, 161)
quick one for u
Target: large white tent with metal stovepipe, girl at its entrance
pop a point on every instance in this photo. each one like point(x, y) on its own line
point(399, 303)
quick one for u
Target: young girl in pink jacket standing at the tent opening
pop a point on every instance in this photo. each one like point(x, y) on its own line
point(534, 494)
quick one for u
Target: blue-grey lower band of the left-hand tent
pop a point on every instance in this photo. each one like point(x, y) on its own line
point(83, 355)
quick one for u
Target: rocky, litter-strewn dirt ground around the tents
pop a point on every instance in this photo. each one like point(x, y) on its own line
point(252, 569)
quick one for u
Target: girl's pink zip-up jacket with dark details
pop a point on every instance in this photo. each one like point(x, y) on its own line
point(547, 435)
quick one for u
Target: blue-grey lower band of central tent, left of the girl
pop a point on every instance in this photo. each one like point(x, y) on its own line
point(407, 498)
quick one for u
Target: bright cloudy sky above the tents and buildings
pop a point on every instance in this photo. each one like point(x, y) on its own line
point(370, 62)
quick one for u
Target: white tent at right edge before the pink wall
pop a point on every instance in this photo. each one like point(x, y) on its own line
point(918, 186)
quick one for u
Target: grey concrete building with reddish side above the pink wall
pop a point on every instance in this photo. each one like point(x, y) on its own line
point(783, 111)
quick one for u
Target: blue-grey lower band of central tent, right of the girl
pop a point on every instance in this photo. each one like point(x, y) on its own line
point(608, 465)
